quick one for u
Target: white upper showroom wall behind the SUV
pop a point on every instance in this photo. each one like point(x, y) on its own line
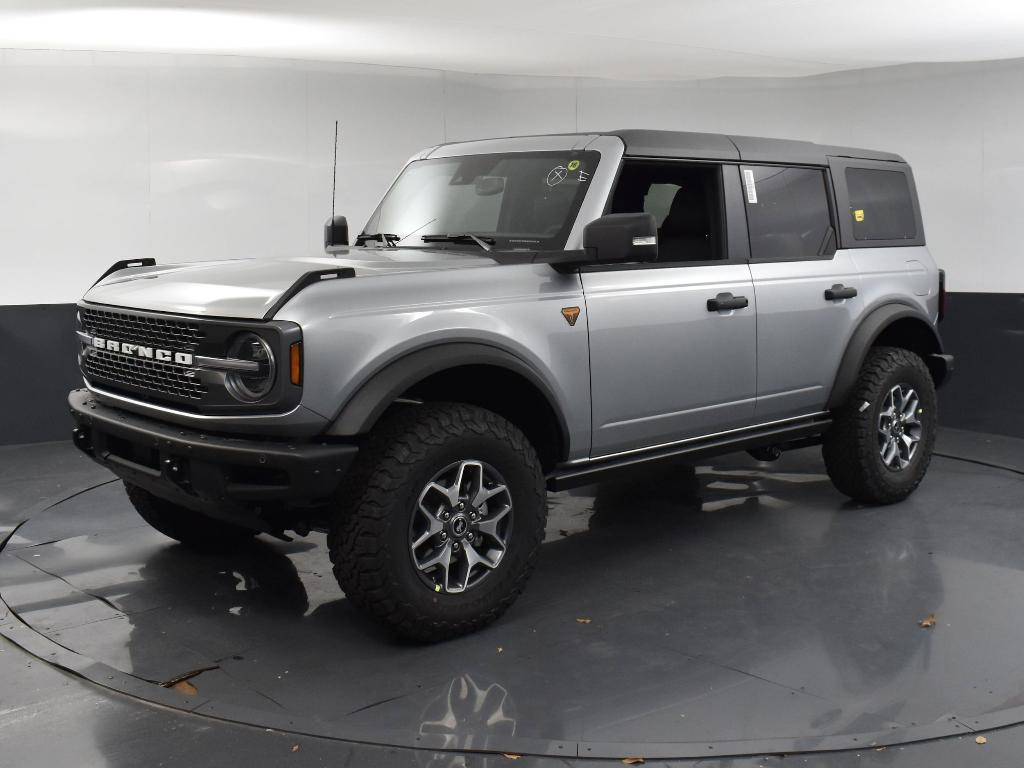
point(105, 156)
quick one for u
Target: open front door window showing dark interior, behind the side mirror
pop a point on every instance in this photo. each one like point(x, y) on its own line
point(687, 202)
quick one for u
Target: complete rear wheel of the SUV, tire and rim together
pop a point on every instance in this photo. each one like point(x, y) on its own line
point(881, 442)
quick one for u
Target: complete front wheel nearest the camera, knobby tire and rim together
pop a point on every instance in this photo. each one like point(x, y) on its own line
point(442, 522)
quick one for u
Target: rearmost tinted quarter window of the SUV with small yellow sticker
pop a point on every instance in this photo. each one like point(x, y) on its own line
point(881, 205)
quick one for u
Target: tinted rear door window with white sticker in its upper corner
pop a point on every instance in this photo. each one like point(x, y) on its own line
point(788, 214)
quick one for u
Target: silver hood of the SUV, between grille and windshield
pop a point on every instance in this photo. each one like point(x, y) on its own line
point(249, 288)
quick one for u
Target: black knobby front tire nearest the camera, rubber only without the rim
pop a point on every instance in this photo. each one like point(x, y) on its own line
point(369, 536)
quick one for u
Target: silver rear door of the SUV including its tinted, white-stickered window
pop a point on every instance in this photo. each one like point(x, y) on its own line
point(806, 291)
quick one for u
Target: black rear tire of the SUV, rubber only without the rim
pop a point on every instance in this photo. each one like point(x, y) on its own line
point(851, 445)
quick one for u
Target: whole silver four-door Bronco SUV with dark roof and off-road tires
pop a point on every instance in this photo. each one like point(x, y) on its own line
point(522, 315)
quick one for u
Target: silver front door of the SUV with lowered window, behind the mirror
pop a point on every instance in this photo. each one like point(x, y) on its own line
point(665, 366)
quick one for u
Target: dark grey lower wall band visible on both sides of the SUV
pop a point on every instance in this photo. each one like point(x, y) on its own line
point(986, 331)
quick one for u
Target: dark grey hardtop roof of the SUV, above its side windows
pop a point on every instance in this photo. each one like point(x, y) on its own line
point(642, 143)
